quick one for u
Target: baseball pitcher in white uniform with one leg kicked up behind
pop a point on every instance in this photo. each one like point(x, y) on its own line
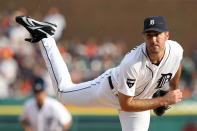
point(150, 67)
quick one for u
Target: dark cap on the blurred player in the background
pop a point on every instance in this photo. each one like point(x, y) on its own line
point(38, 85)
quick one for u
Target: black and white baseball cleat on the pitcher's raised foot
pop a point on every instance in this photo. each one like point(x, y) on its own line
point(37, 29)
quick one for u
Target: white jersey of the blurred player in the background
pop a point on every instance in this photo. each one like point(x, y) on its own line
point(50, 117)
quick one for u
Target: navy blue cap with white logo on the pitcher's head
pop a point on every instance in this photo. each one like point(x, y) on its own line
point(155, 23)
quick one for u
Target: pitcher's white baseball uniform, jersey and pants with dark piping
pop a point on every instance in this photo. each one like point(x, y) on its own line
point(135, 76)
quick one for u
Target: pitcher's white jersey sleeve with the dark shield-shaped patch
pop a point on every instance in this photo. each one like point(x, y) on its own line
point(127, 77)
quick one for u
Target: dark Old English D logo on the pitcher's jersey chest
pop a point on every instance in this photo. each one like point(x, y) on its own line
point(164, 79)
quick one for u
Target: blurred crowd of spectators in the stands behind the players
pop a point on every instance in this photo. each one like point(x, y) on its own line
point(21, 62)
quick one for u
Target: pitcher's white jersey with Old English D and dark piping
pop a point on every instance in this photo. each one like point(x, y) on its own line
point(137, 76)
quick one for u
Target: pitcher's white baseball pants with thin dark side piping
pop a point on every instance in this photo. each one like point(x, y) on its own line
point(94, 93)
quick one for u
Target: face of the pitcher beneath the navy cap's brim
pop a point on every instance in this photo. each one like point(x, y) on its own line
point(155, 41)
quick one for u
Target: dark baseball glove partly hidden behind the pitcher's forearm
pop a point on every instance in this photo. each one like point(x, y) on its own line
point(160, 110)
